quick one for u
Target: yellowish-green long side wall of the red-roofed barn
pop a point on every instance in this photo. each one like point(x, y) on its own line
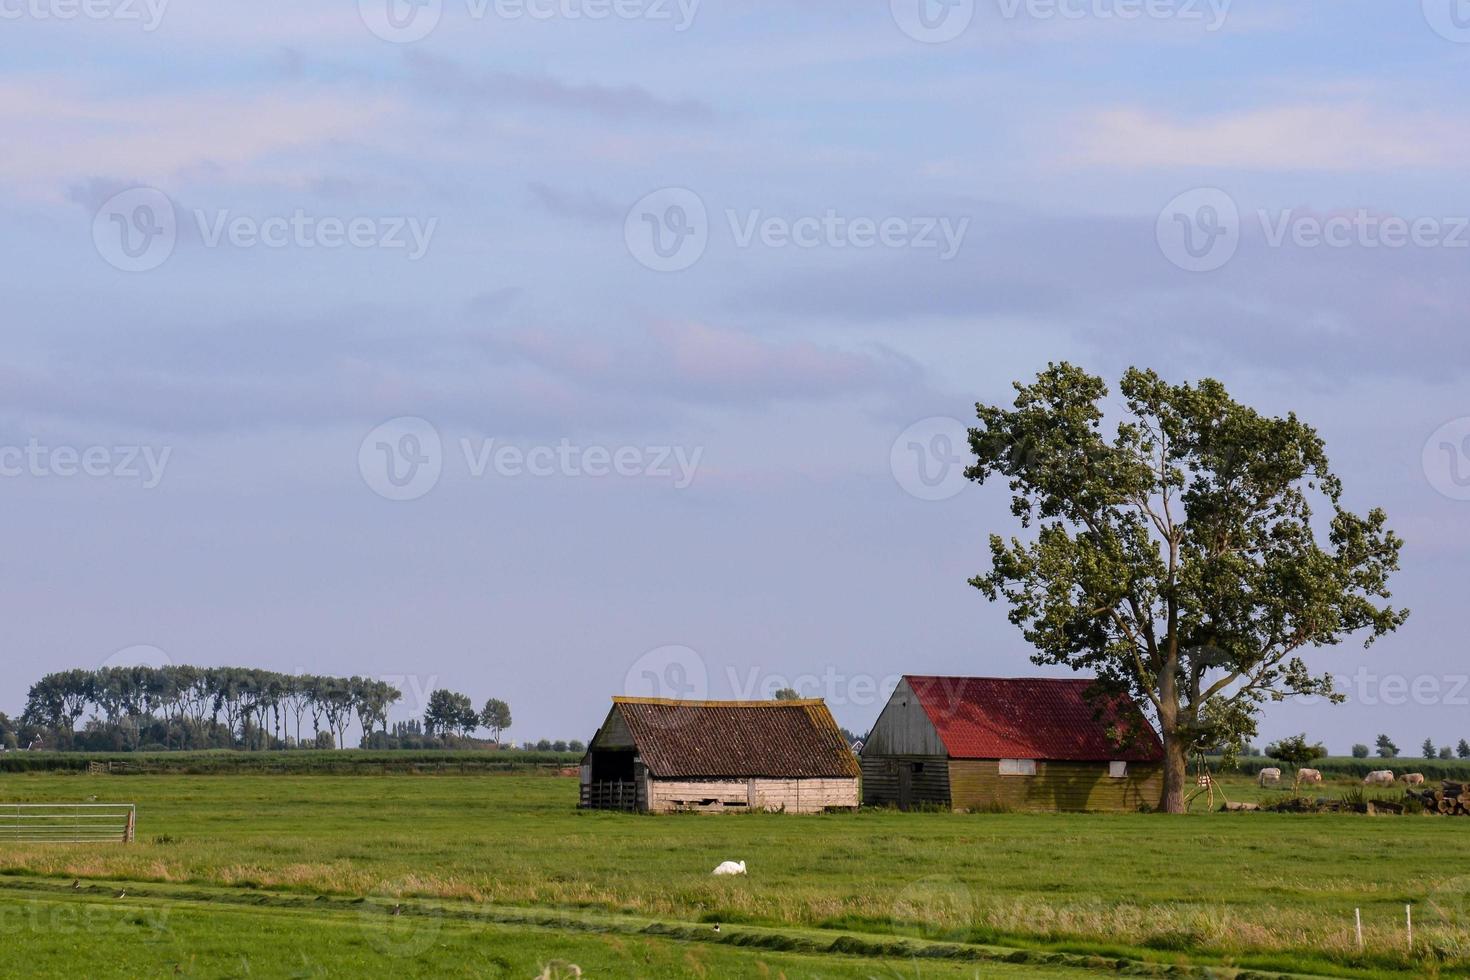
point(978, 785)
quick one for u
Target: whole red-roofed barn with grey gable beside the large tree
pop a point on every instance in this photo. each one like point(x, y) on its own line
point(1011, 744)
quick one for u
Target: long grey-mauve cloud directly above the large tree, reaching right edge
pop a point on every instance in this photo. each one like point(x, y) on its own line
point(1312, 314)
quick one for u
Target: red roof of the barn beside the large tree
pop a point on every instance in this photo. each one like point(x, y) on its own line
point(1033, 718)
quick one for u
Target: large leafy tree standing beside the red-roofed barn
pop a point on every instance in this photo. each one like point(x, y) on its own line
point(1178, 559)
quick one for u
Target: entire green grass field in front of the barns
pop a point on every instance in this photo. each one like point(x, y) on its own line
point(502, 876)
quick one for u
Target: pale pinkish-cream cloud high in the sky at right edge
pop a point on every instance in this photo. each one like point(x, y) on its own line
point(1315, 137)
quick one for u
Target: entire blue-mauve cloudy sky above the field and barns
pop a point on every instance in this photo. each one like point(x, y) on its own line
point(559, 349)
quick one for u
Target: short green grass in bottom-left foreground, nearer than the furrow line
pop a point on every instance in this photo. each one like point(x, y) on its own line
point(60, 937)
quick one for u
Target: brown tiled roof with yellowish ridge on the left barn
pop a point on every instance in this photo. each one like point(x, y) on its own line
point(737, 740)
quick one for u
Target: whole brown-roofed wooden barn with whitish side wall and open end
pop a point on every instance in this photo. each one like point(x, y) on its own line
point(659, 756)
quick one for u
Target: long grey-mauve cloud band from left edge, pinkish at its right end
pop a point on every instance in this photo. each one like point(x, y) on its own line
point(356, 367)
